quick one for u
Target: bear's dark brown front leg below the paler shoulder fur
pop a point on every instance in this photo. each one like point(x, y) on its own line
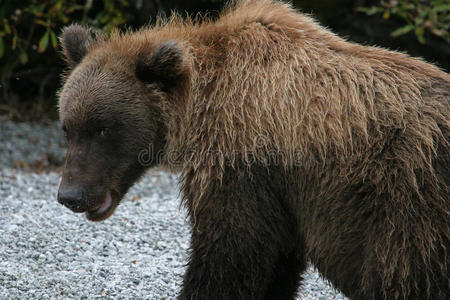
point(244, 241)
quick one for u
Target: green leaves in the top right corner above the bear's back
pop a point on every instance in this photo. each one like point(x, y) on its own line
point(420, 16)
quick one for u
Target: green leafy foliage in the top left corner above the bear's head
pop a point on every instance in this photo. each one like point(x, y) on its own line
point(32, 25)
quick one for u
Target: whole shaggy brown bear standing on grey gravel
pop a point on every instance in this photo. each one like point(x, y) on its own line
point(293, 145)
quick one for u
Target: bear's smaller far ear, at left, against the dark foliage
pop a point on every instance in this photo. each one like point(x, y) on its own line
point(75, 40)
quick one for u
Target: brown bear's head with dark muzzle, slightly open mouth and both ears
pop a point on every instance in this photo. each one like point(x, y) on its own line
point(112, 109)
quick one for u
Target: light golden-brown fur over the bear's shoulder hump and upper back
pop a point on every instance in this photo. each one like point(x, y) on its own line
point(331, 76)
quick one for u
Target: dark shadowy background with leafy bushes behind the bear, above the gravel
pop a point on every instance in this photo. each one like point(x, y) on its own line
point(31, 62)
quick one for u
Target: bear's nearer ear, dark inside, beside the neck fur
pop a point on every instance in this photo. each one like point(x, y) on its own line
point(165, 65)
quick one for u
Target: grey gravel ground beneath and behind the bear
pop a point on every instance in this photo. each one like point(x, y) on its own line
point(46, 251)
